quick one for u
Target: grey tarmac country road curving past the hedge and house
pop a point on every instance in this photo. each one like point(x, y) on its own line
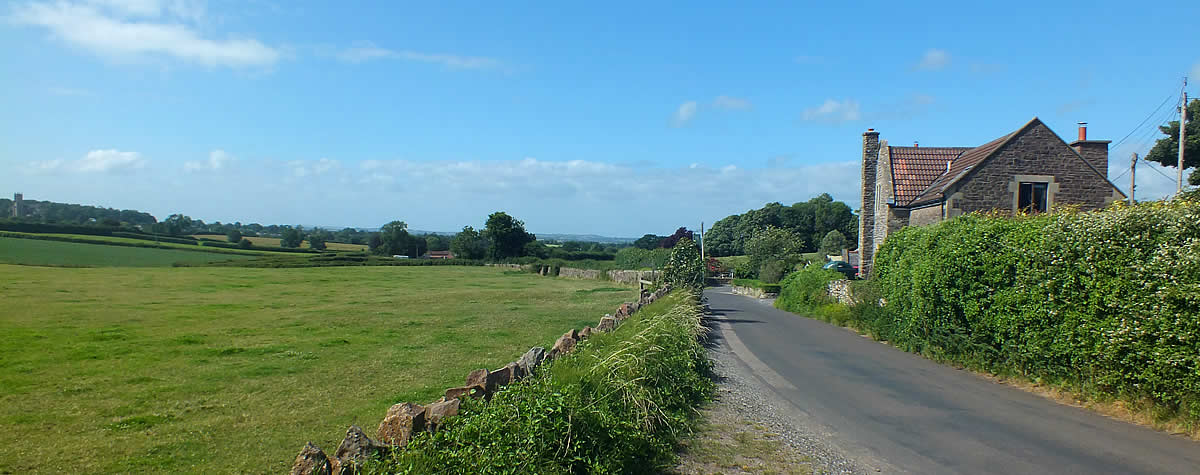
point(899, 413)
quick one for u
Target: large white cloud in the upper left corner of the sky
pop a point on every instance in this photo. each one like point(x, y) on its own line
point(139, 29)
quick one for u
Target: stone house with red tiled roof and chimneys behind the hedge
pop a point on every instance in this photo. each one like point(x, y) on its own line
point(1031, 170)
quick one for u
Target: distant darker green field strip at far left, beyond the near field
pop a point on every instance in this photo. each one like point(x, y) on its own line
point(34, 252)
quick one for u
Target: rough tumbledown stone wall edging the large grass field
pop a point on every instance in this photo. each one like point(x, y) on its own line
point(405, 420)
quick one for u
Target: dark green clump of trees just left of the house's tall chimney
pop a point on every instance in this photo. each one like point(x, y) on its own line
point(811, 220)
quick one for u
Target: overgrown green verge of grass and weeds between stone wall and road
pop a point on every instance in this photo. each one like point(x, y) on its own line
point(619, 404)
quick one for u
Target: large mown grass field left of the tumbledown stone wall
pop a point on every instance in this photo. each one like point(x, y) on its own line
point(205, 370)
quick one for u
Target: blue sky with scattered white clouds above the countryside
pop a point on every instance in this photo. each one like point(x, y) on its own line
point(607, 118)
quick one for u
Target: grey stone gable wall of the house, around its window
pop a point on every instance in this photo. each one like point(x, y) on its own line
point(1037, 154)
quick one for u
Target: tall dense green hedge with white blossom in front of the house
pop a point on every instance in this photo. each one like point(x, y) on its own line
point(1107, 300)
